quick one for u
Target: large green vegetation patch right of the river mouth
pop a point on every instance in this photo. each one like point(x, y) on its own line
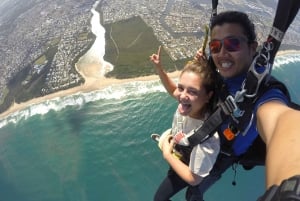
point(129, 43)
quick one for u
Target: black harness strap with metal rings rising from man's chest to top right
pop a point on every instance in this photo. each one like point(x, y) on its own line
point(259, 73)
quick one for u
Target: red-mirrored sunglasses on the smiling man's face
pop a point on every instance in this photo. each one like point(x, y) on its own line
point(231, 44)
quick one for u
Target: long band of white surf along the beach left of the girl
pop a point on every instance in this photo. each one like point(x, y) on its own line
point(113, 92)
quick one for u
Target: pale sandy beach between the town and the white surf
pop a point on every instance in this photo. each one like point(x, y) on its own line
point(96, 82)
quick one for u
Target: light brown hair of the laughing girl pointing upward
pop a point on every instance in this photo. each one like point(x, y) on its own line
point(207, 75)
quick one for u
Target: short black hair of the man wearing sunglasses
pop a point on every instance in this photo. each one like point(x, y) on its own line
point(239, 18)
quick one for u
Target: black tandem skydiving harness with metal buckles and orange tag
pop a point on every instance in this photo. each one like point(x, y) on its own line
point(238, 108)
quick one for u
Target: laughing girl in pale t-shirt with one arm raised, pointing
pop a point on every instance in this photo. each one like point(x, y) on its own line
point(193, 93)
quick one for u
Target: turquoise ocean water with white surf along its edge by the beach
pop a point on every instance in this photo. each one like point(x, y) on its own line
point(96, 146)
